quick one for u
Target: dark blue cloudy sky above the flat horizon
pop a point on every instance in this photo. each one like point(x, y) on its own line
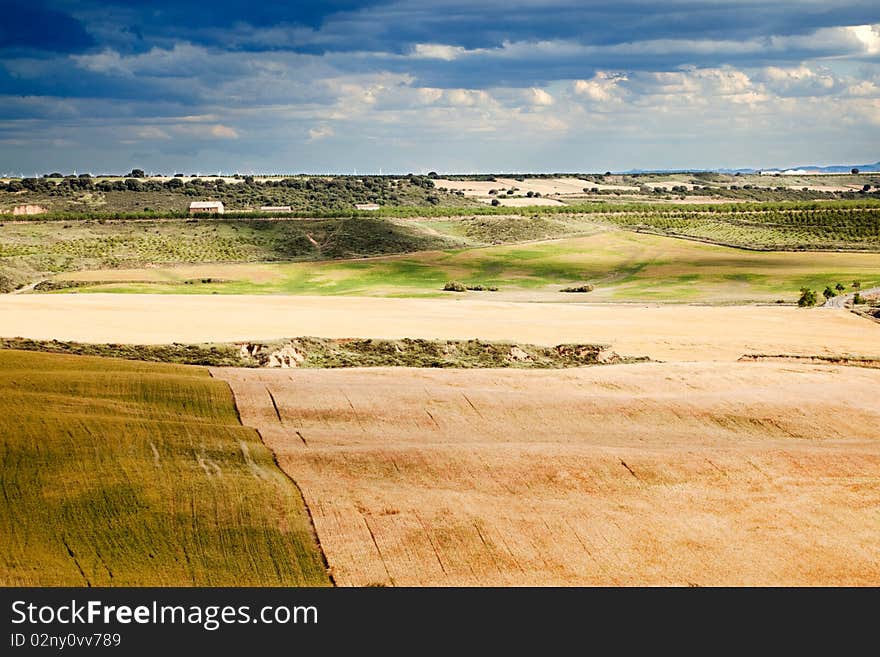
point(400, 86)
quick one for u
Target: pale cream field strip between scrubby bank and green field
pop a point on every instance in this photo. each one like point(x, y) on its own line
point(662, 332)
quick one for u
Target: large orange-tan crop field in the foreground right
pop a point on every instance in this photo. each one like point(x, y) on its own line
point(666, 474)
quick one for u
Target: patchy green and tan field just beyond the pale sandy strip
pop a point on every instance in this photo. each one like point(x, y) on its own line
point(624, 266)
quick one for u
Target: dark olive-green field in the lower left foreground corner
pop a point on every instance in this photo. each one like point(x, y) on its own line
point(121, 473)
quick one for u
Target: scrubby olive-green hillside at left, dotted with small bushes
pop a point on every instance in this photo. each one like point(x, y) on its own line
point(34, 249)
